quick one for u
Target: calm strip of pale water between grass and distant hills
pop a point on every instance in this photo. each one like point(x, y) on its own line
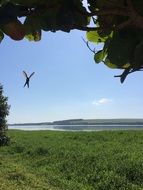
point(76, 127)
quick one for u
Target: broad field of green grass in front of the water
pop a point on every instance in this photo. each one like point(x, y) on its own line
point(72, 161)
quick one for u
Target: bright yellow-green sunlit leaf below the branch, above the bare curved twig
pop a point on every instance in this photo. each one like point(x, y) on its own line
point(93, 36)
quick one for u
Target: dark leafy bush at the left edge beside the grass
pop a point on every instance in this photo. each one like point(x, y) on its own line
point(4, 111)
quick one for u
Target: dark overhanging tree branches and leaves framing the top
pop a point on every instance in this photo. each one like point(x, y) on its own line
point(118, 25)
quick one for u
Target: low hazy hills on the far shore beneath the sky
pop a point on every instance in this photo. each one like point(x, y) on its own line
point(88, 122)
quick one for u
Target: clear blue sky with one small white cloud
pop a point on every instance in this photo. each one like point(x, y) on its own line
point(67, 83)
